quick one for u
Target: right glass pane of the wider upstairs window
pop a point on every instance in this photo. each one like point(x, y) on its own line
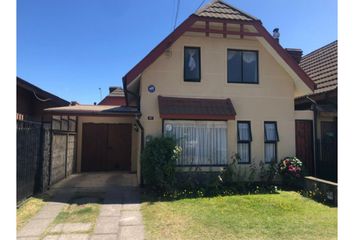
point(250, 73)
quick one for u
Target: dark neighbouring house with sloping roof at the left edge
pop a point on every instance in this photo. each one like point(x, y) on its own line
point(31, 100)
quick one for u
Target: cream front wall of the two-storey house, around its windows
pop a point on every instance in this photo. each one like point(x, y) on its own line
point(270, 100)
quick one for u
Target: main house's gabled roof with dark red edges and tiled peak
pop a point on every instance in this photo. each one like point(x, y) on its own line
point(217, 10)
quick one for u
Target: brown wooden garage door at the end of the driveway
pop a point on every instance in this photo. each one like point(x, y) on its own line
point(106, 147)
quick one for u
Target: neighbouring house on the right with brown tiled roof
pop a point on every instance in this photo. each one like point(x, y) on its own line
point(321, 67)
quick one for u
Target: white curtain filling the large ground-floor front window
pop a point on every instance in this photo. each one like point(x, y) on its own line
point(202, 142)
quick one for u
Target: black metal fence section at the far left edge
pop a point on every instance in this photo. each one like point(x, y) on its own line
point(28, 157)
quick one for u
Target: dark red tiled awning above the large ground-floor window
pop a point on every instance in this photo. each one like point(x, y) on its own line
point(196, 108)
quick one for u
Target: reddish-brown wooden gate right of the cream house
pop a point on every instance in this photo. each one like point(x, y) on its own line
point(304, 143)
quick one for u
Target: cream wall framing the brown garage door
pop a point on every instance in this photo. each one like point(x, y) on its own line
point(135, 151)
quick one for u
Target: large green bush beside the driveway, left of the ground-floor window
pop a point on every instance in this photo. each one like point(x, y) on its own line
point(158, 162)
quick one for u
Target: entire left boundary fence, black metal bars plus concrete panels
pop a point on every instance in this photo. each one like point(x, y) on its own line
point(44, 156)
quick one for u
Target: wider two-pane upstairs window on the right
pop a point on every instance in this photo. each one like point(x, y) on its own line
point(242, 66)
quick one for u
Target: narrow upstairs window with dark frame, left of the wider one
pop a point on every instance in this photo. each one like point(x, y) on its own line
point(192, 64)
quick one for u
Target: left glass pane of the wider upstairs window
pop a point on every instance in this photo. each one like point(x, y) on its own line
point(234, 72)
